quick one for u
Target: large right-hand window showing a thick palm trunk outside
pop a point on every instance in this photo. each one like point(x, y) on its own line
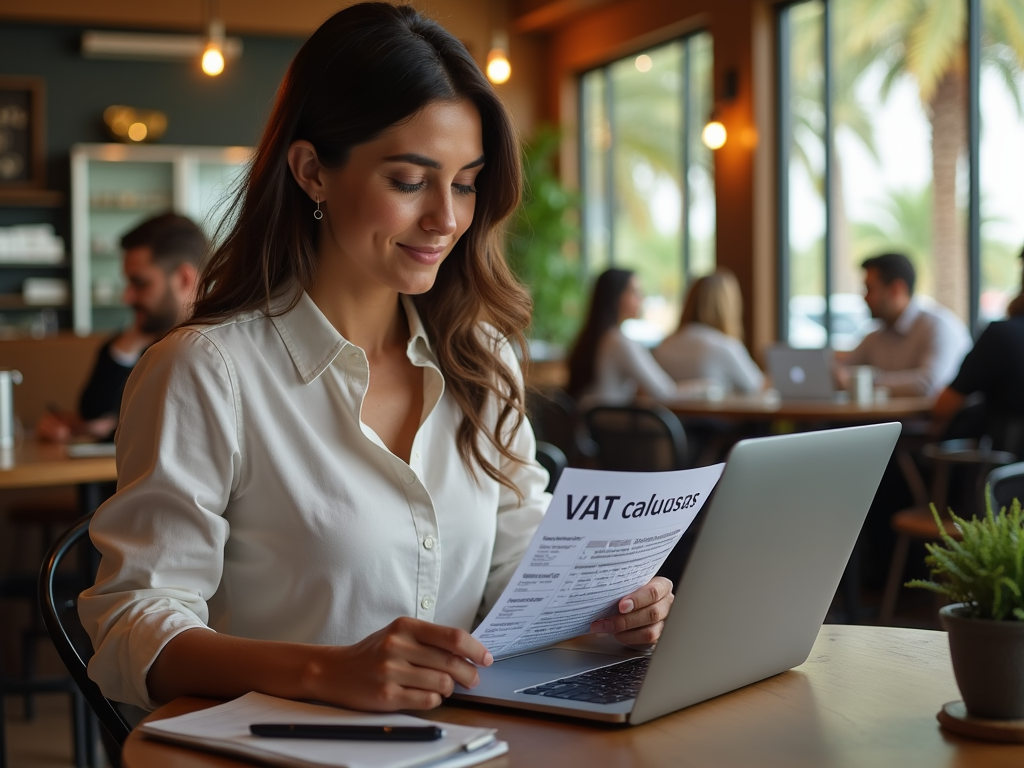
point(880, 153)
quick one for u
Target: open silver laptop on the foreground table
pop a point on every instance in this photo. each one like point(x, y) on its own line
point(776, 539)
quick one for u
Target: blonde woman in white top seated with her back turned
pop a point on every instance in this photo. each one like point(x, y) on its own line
point(708, 346)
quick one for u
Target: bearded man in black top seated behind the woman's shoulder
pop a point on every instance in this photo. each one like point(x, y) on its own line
point(162, 260)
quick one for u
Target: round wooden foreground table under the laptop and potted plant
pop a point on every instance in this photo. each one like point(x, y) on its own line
point(867, 697)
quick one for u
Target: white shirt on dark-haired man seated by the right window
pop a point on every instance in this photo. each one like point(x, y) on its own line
point(919, 355)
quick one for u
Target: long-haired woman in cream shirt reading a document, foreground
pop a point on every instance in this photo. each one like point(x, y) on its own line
point(327, 477)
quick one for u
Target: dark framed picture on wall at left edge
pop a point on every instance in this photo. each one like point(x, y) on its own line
point(22, 134)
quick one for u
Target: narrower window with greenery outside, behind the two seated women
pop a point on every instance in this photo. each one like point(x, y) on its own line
point(649, 188)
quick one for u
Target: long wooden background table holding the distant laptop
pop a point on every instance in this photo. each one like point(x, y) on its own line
point(759, 408)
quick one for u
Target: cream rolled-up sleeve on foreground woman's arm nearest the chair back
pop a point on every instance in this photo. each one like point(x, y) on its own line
point(162, 536)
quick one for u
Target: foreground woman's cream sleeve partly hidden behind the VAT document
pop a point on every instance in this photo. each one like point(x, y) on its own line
point(518, 519)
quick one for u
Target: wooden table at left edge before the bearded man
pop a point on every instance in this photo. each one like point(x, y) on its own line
point(38, 464)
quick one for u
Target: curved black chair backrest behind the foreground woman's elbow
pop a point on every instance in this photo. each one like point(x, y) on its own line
point(73, 645)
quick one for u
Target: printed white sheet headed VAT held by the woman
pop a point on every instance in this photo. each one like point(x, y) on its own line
point(605, 535)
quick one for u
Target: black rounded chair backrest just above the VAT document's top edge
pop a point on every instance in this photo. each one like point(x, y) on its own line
point(638, 440)
